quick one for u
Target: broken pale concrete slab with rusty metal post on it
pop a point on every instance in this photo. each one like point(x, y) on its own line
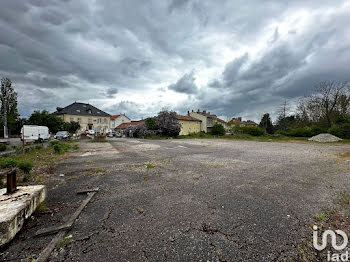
point(17, 207)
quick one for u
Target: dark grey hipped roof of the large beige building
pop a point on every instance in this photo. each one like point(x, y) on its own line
point(80, 109)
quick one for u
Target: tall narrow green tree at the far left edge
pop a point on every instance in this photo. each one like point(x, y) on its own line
point(8, 99)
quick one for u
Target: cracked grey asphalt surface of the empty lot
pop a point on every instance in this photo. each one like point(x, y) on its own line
point(204, 200)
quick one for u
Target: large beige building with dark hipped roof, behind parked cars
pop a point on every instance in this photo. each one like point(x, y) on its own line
point(88, 116)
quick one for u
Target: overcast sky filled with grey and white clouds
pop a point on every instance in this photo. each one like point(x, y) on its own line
point(232, 58)
